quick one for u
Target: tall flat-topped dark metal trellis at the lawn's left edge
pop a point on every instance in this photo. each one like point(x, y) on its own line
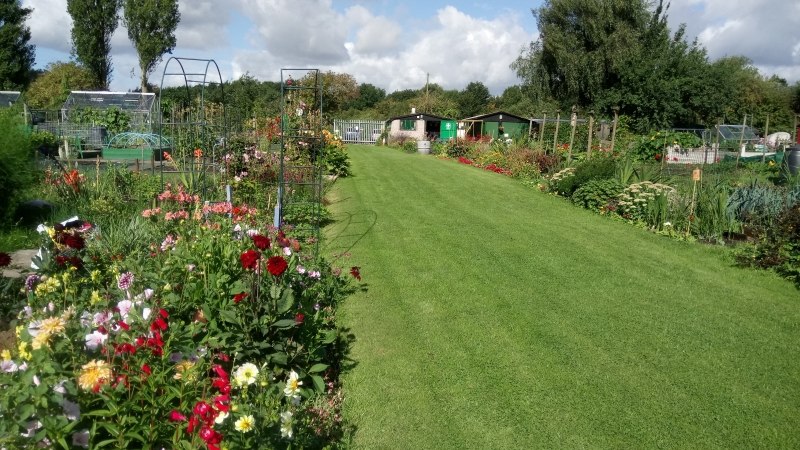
point(300, 186)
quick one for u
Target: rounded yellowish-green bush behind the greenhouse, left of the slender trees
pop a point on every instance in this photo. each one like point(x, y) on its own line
point(51, 89)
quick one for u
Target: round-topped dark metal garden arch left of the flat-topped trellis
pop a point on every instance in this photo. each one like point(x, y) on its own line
point(194, 138)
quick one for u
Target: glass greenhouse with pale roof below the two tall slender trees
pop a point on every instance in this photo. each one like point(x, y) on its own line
point(141, 107)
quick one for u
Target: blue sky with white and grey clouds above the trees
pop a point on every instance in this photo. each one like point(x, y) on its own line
point(394, 45)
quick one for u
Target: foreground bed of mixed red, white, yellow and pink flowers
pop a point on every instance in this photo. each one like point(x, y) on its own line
point(221, 335)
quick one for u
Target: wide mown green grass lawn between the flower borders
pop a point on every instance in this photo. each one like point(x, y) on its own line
point(500, 317)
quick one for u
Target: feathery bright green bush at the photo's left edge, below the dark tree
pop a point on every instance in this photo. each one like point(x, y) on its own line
point(16, 161)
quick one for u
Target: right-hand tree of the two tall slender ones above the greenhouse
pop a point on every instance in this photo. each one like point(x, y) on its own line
point(151, 28)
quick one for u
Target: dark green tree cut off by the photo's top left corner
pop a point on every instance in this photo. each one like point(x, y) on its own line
point(16, 54)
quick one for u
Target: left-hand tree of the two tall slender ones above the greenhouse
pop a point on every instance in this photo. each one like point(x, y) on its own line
point(93, 24)
